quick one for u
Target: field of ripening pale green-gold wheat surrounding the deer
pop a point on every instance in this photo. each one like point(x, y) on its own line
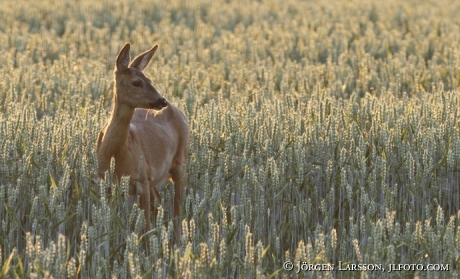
point(320, 132)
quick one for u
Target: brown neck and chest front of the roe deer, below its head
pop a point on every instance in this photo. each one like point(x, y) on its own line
point(116, 133)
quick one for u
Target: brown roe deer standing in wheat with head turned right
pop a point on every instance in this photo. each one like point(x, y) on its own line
point(147, 136)
